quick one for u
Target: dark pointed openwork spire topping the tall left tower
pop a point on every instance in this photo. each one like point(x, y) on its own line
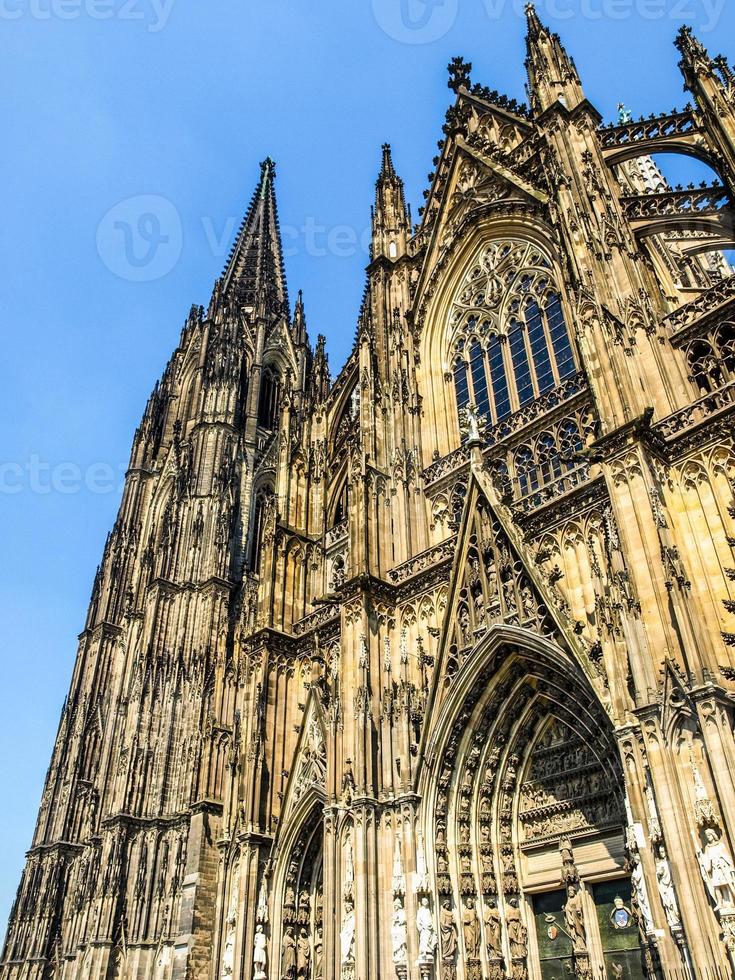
point(254, 274)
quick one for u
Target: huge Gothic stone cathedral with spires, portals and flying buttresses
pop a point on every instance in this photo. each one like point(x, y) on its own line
point(428, 672)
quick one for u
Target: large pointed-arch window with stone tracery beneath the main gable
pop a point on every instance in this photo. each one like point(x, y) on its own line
point(510, 342)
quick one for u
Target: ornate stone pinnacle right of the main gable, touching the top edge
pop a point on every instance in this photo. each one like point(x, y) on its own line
point(552, 74)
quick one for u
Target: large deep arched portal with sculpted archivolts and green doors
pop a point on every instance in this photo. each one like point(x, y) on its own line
point(527, 811)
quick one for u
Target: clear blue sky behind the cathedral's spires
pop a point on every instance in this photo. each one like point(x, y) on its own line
point(132, 133)
